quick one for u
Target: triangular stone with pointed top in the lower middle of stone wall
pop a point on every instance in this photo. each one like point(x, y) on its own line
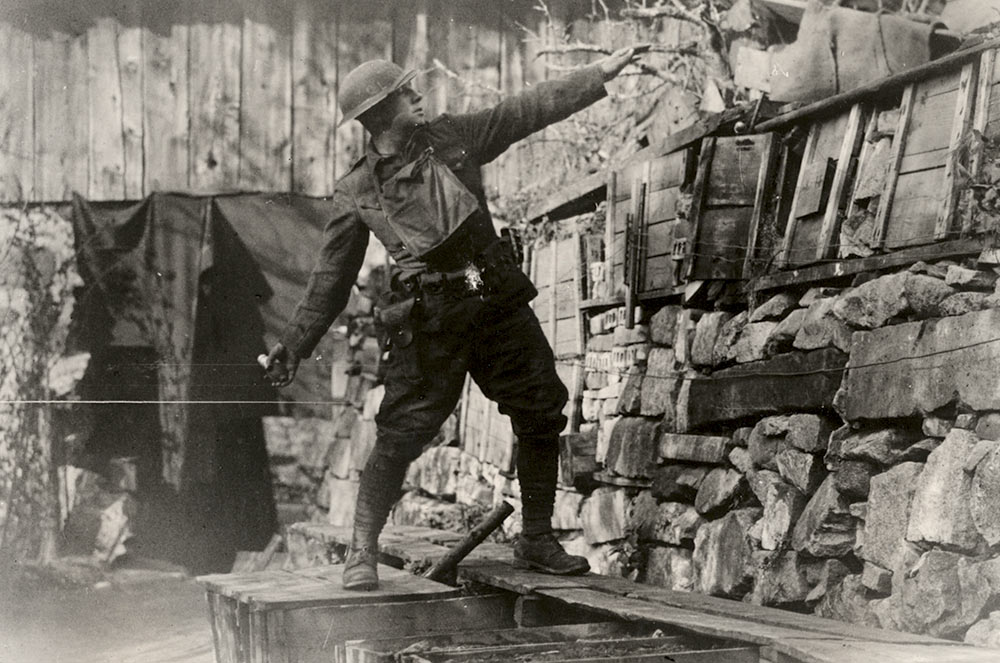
point(826, 528)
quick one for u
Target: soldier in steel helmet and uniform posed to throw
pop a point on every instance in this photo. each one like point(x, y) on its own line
point(458, 302)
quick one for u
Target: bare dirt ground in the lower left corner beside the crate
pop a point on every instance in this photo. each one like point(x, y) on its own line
point(123, 616)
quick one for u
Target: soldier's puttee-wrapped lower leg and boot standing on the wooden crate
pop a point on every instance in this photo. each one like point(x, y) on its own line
point(378, 491)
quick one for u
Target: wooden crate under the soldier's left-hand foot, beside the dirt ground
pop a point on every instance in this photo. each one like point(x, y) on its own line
point(306, 616)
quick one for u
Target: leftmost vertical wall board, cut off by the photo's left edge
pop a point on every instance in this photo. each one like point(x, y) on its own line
point(17, 181)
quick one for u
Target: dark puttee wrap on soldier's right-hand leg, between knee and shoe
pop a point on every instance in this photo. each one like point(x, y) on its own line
point(537, 467)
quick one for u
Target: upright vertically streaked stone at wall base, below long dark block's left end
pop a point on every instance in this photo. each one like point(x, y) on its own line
point(722, 553)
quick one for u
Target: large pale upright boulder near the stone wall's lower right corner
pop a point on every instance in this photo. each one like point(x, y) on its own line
point(940, 512)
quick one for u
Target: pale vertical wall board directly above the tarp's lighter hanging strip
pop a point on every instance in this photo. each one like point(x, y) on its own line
point(165, 100)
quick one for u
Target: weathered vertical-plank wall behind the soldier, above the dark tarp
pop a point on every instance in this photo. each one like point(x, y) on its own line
point(123, 99)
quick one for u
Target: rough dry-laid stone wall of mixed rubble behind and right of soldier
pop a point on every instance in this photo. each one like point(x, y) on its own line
point(830, 450)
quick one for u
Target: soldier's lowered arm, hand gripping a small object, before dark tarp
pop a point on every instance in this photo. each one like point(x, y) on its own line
point(345, 240)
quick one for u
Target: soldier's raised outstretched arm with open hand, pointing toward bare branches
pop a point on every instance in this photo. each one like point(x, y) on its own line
point(491, 131)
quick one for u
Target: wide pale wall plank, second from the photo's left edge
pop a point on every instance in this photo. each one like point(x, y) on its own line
point(60, 92)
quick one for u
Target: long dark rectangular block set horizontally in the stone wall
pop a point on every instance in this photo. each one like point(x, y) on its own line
point(792, 382)
